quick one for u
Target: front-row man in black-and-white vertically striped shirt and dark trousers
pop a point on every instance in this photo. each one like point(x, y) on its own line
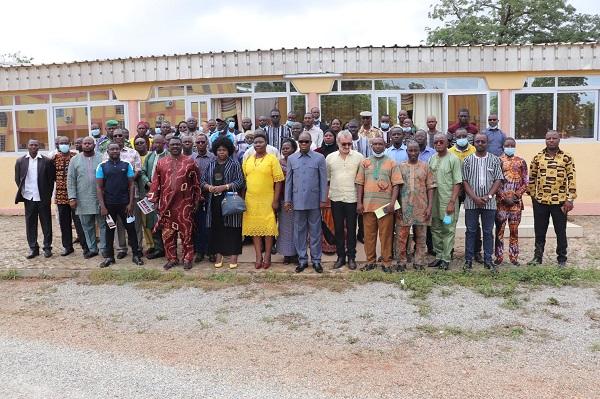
point(482, 176)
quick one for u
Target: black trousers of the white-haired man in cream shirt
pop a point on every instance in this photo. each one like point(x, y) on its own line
point(344, 221)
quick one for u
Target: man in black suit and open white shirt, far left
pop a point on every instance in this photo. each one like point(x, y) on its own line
point(34, 176)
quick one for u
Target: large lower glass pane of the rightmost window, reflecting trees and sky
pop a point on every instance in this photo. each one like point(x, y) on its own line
point(576, 114)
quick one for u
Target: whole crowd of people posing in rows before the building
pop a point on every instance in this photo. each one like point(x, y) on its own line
point(307, 187)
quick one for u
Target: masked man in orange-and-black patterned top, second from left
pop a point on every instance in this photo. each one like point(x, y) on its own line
point(66, 215)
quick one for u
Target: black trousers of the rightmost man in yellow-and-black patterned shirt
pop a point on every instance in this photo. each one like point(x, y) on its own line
point(541, 219)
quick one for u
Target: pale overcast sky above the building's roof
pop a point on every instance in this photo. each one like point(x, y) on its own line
point(63, 31)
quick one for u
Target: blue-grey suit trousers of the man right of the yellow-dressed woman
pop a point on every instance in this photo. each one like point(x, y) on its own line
point(307, 224)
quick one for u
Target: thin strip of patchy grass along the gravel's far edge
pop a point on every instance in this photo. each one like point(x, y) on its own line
point(419, 284)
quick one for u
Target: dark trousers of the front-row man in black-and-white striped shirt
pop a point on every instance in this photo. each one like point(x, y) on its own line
point(488, 217)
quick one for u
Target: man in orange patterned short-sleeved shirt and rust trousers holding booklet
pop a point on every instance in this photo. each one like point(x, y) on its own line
point(378, 182)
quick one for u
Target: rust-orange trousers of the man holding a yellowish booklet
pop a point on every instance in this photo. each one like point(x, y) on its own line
point(384, 227)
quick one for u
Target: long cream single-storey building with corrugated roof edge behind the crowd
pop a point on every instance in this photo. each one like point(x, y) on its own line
point(532, 88)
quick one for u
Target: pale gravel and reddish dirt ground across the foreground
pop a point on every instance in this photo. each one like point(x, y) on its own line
point(72, 340)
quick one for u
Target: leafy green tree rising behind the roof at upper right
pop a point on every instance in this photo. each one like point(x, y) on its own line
point(510, 22)
